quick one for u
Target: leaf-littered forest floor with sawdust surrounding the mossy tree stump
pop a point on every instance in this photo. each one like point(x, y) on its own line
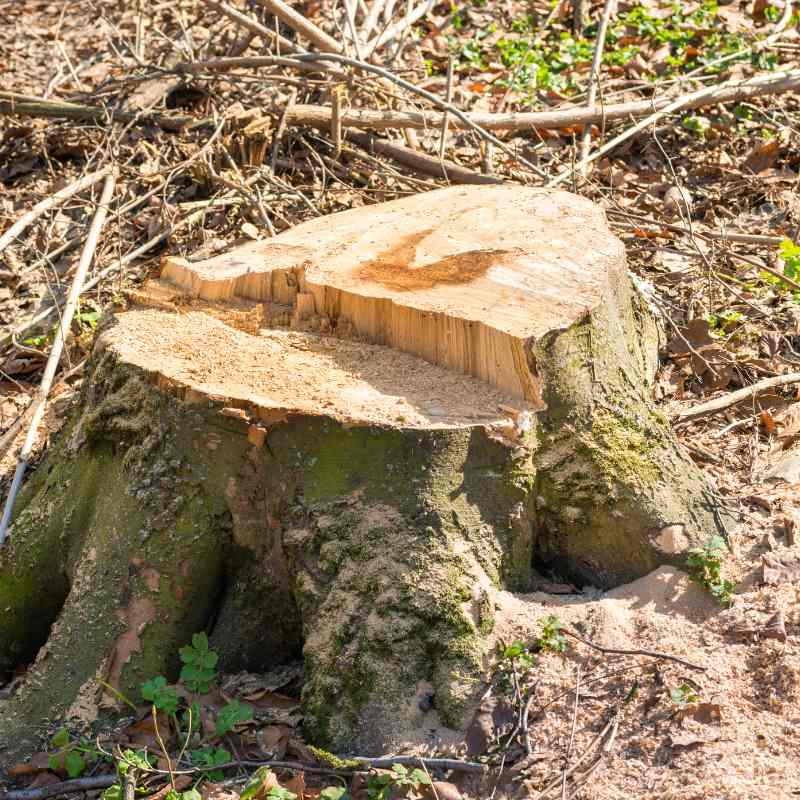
point(706, 201)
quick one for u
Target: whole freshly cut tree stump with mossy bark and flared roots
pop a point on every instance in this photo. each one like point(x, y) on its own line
point(337, 444)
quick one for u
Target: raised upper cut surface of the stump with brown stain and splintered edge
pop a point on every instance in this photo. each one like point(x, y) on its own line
point(465, 278)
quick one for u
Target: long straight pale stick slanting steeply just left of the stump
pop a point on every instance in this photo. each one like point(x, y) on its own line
point(58, 348)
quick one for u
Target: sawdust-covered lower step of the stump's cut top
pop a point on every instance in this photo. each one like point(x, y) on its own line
point(301, 372)
